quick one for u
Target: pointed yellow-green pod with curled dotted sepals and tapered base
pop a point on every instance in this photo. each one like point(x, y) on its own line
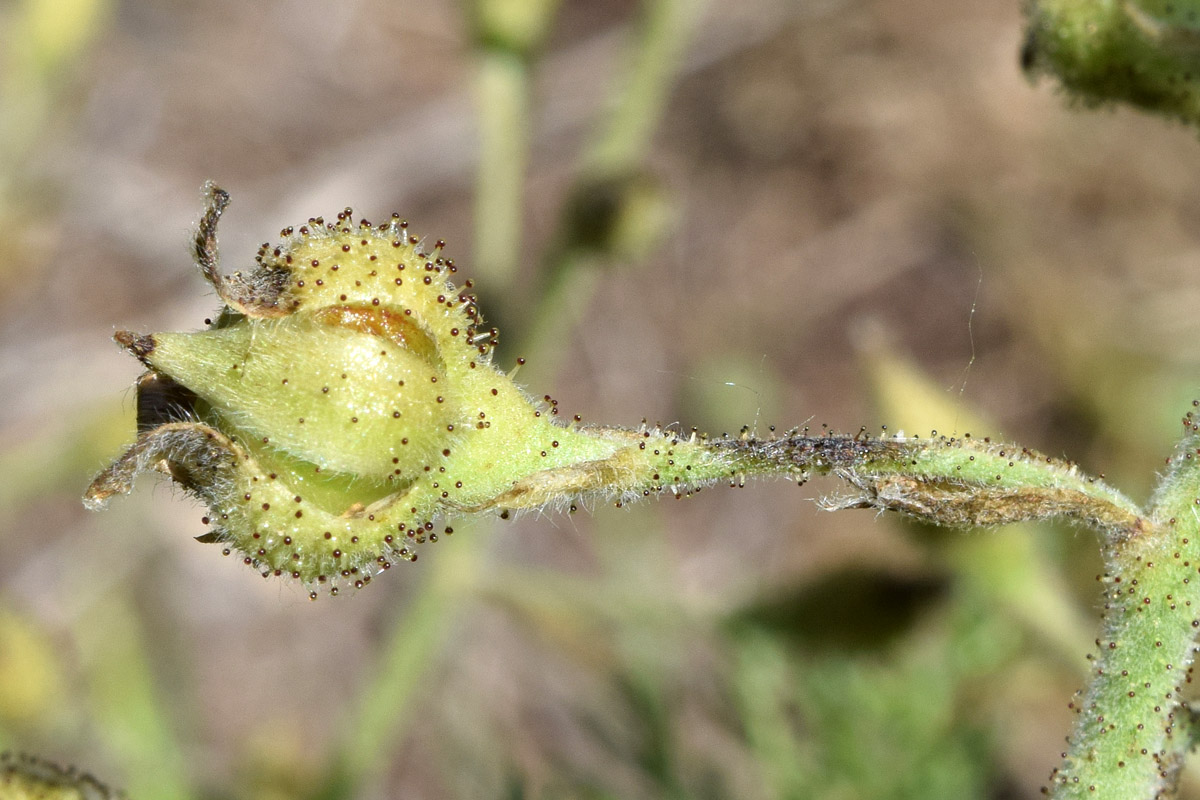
point(345, 399)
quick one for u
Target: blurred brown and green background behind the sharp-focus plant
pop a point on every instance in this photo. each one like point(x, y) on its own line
point(824, 212)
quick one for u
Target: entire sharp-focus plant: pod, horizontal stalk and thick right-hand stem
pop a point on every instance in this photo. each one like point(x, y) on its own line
point(345, 401)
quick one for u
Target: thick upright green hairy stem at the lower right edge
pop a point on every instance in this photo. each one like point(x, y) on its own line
point(1133, 731)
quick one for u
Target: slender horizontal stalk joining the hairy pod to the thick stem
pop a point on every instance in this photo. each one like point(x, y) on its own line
point(944, 482)
